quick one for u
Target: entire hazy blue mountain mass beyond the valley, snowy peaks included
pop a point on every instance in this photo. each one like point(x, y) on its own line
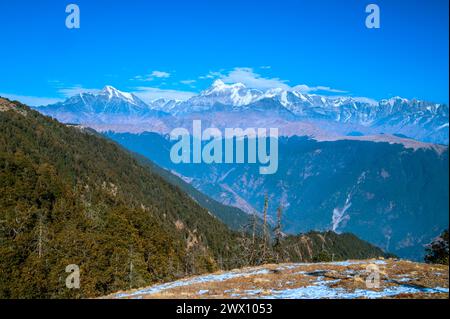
point(332, 175)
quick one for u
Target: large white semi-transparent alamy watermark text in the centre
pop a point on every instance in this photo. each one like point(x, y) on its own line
point(236, 145)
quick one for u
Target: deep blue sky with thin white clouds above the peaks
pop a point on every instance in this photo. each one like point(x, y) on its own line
point(177, 48)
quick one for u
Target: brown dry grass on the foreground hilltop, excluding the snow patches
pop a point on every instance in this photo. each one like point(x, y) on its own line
point(393, 273)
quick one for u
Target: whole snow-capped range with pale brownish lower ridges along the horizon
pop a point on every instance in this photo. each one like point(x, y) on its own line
point(235, 105)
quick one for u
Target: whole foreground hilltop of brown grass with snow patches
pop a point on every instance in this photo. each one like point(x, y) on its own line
point(334, 280)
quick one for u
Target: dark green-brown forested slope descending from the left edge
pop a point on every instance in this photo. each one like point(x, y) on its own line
point(71, 197)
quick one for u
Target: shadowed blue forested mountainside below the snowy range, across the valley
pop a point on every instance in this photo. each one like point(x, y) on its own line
point(393, 196)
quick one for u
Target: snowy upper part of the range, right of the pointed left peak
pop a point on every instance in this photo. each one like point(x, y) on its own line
point(395, 111)
